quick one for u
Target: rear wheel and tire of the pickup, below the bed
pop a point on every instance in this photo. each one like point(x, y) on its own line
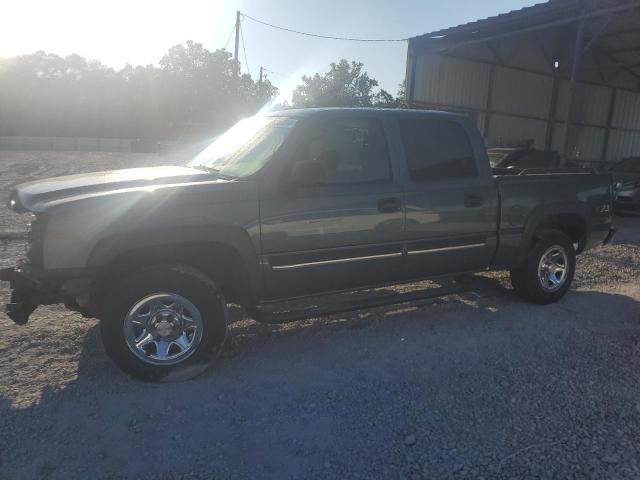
point(548, 271)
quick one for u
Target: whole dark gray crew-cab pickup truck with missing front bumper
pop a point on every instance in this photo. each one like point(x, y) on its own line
point(288, 204)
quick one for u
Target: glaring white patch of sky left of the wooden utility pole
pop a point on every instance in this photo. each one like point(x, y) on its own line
point(115, 33)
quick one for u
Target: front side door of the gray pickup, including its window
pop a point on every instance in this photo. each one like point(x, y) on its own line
point(339, 223)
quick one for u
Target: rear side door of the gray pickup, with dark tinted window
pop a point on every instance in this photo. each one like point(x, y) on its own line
point(451, 199)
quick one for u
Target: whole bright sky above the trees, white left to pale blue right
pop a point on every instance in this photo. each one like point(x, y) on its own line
point(118, 32)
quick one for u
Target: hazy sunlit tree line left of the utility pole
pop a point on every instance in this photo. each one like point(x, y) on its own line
point(45, 94)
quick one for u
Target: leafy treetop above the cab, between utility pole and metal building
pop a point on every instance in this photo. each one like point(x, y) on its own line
point(346, 84)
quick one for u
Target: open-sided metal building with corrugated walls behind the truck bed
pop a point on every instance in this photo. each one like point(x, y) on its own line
point(527, 74)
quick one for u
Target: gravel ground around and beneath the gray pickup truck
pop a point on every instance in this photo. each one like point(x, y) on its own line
point(467, 386)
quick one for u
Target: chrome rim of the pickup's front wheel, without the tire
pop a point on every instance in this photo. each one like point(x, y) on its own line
point(163, 329)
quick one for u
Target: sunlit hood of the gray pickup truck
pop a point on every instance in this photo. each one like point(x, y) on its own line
point(26, 196)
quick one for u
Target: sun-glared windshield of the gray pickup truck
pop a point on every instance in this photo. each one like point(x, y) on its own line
point(245, 147)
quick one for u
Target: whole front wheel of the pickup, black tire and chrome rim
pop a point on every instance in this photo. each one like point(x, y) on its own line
point(162, 319)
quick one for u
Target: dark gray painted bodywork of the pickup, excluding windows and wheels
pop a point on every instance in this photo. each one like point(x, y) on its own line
point(91, 219)
